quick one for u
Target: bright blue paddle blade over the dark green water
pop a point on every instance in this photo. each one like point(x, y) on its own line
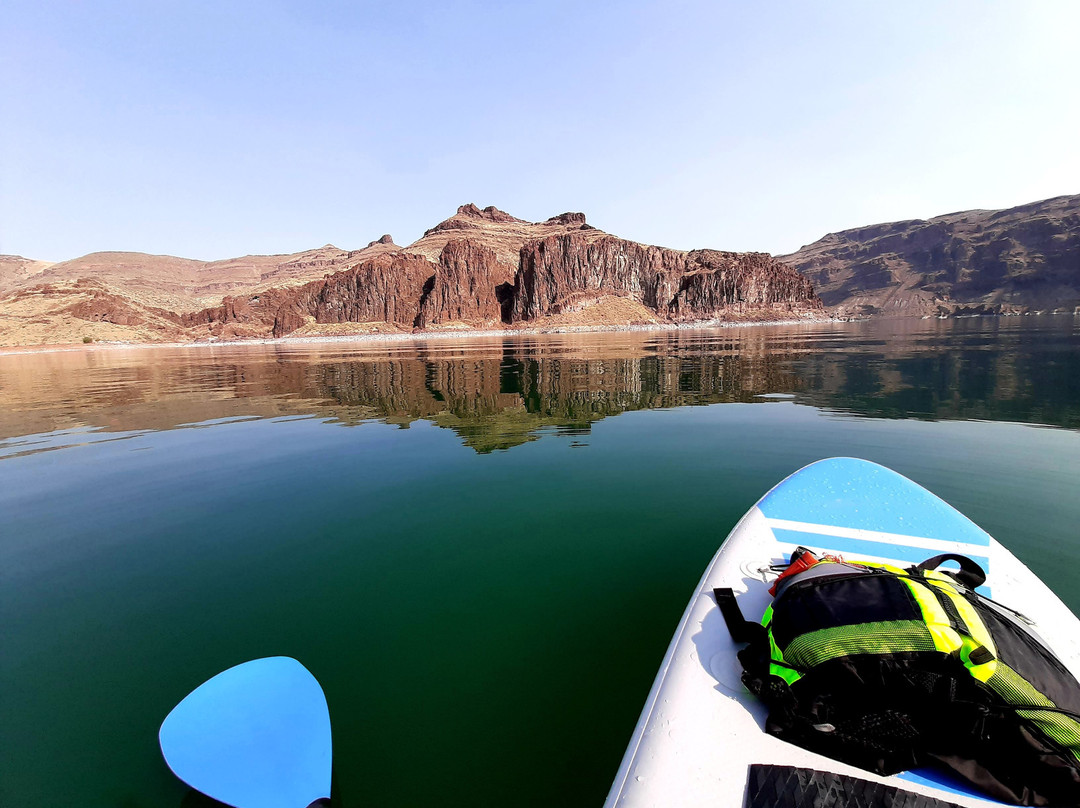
point(256, 736)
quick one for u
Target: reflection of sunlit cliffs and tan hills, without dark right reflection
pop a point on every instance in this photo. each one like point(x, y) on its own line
point(494, 396)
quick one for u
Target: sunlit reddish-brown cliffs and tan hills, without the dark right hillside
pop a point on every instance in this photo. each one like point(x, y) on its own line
point(478, 270)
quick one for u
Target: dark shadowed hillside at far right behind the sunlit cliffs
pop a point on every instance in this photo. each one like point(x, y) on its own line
point(1021, 260)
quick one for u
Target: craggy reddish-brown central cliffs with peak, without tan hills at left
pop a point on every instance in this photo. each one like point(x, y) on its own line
point(568, 270)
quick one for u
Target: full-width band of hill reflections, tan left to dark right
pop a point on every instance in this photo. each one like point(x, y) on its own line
point(501, 394)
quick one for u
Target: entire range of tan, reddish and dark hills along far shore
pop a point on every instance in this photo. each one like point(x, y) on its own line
point(483, 268)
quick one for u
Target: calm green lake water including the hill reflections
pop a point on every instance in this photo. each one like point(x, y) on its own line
point(480, 550)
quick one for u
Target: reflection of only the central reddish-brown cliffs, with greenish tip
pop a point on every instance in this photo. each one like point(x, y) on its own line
point(498, 403)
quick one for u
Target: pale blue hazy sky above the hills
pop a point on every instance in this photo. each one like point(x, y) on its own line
point(211, 130)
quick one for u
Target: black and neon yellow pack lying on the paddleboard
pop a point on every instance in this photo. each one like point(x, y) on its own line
point(892, 669)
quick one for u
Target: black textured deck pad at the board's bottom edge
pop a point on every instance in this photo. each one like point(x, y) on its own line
point(788, 787)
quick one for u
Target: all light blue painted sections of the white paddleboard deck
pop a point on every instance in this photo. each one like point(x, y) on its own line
point(854, 494)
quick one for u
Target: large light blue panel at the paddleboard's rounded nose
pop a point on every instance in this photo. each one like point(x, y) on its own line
point(845, 492)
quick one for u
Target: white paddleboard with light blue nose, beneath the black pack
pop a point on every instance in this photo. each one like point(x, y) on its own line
point(701, 730)
